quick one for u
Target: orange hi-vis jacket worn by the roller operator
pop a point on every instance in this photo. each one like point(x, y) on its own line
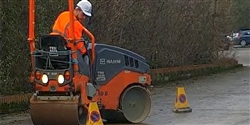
point(61, 26)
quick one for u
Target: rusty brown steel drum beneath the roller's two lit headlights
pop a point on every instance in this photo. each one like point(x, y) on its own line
point(66, 112)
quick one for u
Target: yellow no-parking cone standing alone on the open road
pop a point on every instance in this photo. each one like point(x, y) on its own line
point(181, 103)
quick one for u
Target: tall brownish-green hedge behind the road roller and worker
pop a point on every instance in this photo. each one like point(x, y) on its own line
point(167, 33)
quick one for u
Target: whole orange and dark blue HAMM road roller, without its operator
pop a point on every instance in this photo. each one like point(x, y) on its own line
point(118, 79)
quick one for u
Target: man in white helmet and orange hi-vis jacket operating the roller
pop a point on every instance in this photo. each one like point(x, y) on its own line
point(82, 10)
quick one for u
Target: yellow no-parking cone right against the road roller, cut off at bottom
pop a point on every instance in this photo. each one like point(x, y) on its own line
point(94, 116)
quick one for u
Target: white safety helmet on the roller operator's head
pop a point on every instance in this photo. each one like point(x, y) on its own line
point(85, 6)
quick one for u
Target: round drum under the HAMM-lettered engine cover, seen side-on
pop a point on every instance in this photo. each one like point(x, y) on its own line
point(135, 104)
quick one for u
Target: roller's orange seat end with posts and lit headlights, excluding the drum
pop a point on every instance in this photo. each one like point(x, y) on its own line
point(54, 68)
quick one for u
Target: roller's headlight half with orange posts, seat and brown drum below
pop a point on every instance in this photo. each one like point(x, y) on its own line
point(59, 88)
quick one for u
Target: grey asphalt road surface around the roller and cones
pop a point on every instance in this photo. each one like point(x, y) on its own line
point(221, 99)
